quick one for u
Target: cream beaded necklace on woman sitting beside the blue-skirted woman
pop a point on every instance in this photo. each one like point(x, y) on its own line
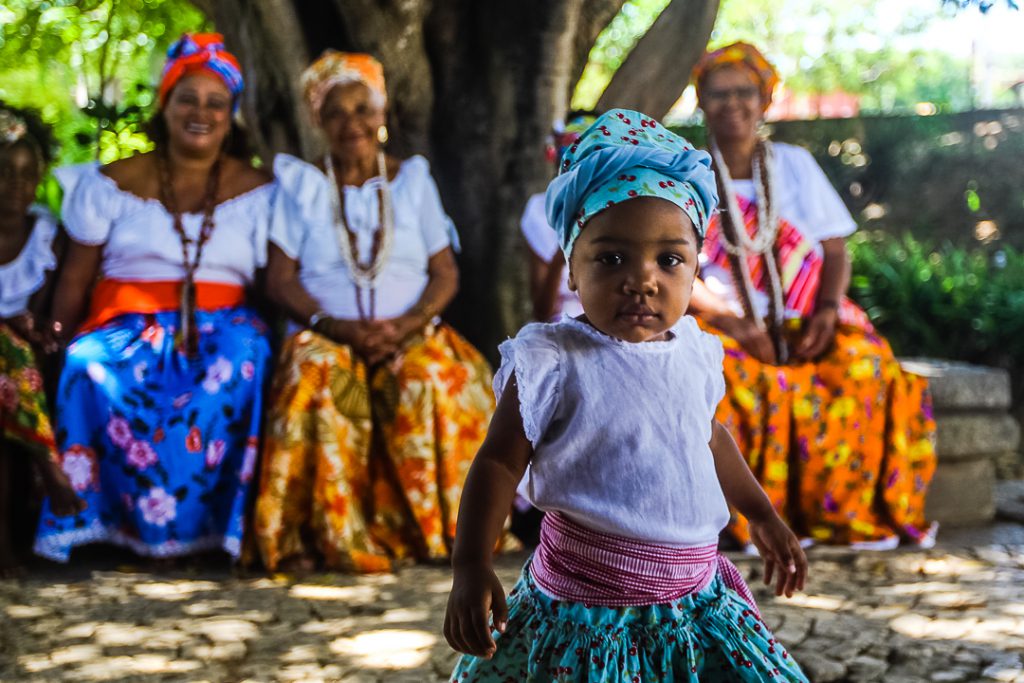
point(364, 275)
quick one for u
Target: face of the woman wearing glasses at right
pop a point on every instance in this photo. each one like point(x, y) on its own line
point(732, 103)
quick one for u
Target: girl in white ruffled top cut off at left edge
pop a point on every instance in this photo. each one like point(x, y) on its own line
point(27, 263)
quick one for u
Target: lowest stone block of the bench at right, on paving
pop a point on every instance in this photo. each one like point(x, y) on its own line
point(962, 493)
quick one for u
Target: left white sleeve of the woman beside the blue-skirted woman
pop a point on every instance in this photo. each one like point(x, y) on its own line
point(303, 195)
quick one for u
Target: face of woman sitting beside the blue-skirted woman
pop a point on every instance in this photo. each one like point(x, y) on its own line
point(351, 118)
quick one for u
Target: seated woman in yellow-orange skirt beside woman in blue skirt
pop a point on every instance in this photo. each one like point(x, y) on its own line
point(377, 408)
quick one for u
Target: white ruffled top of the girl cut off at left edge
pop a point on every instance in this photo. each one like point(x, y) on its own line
point(23, 277)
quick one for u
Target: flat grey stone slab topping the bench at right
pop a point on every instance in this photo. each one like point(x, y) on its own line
point(959, 387)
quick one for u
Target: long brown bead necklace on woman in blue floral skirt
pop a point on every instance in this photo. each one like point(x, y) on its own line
point(188, 338)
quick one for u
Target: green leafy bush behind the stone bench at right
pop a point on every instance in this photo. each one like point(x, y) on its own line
point(946, 302)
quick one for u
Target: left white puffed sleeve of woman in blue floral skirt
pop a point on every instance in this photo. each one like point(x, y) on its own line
point(92, 203)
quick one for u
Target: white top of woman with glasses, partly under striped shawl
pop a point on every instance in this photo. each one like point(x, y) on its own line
point(806, 199)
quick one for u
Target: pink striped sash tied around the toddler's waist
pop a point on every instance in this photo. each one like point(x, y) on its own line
point(579, 565)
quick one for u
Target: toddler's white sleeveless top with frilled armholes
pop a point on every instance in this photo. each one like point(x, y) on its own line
point(621, 431)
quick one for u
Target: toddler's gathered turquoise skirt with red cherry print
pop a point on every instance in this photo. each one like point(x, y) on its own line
point(711, 636)
